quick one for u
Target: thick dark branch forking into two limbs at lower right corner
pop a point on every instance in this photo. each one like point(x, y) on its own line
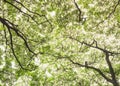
point(107, 53)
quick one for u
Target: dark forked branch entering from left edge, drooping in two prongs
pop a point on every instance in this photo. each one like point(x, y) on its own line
point(10, 26)
